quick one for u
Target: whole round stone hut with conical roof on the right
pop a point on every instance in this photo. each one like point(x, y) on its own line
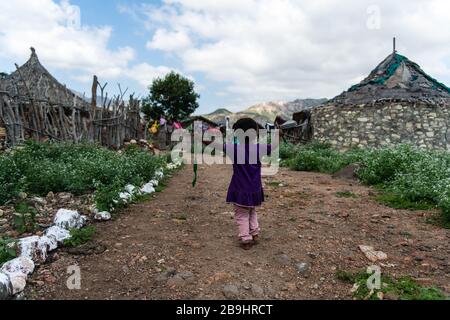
point(398, 103)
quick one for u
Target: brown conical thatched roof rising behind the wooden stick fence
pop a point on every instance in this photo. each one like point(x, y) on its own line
point(33, 79)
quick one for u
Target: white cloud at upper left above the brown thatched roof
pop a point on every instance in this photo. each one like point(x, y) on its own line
point(52, 28)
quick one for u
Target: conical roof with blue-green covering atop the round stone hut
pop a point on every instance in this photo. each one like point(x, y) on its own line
point(396, 78)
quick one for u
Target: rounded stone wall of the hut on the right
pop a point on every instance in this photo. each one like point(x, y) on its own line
point(382, 124)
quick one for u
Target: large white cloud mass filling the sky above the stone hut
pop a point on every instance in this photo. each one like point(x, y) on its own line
point(282, 49)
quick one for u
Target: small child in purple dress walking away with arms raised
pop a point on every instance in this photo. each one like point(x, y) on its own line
point(245, 191)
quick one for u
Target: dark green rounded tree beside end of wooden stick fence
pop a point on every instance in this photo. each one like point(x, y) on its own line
point(172, 97)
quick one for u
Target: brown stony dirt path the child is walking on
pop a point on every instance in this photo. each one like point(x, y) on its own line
point(191, 231)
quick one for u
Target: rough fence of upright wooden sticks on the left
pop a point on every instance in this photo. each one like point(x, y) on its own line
point(110, 123)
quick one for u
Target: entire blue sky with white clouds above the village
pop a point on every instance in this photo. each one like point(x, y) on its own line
point(238, 52)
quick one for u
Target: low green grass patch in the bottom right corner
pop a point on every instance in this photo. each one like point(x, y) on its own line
point(405, 288)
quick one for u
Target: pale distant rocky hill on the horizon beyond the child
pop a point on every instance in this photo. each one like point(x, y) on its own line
point(266, 112)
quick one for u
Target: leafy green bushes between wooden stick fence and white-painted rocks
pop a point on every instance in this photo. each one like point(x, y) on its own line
point(38, 168)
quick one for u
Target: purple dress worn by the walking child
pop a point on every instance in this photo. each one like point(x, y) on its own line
point(246, 185)
